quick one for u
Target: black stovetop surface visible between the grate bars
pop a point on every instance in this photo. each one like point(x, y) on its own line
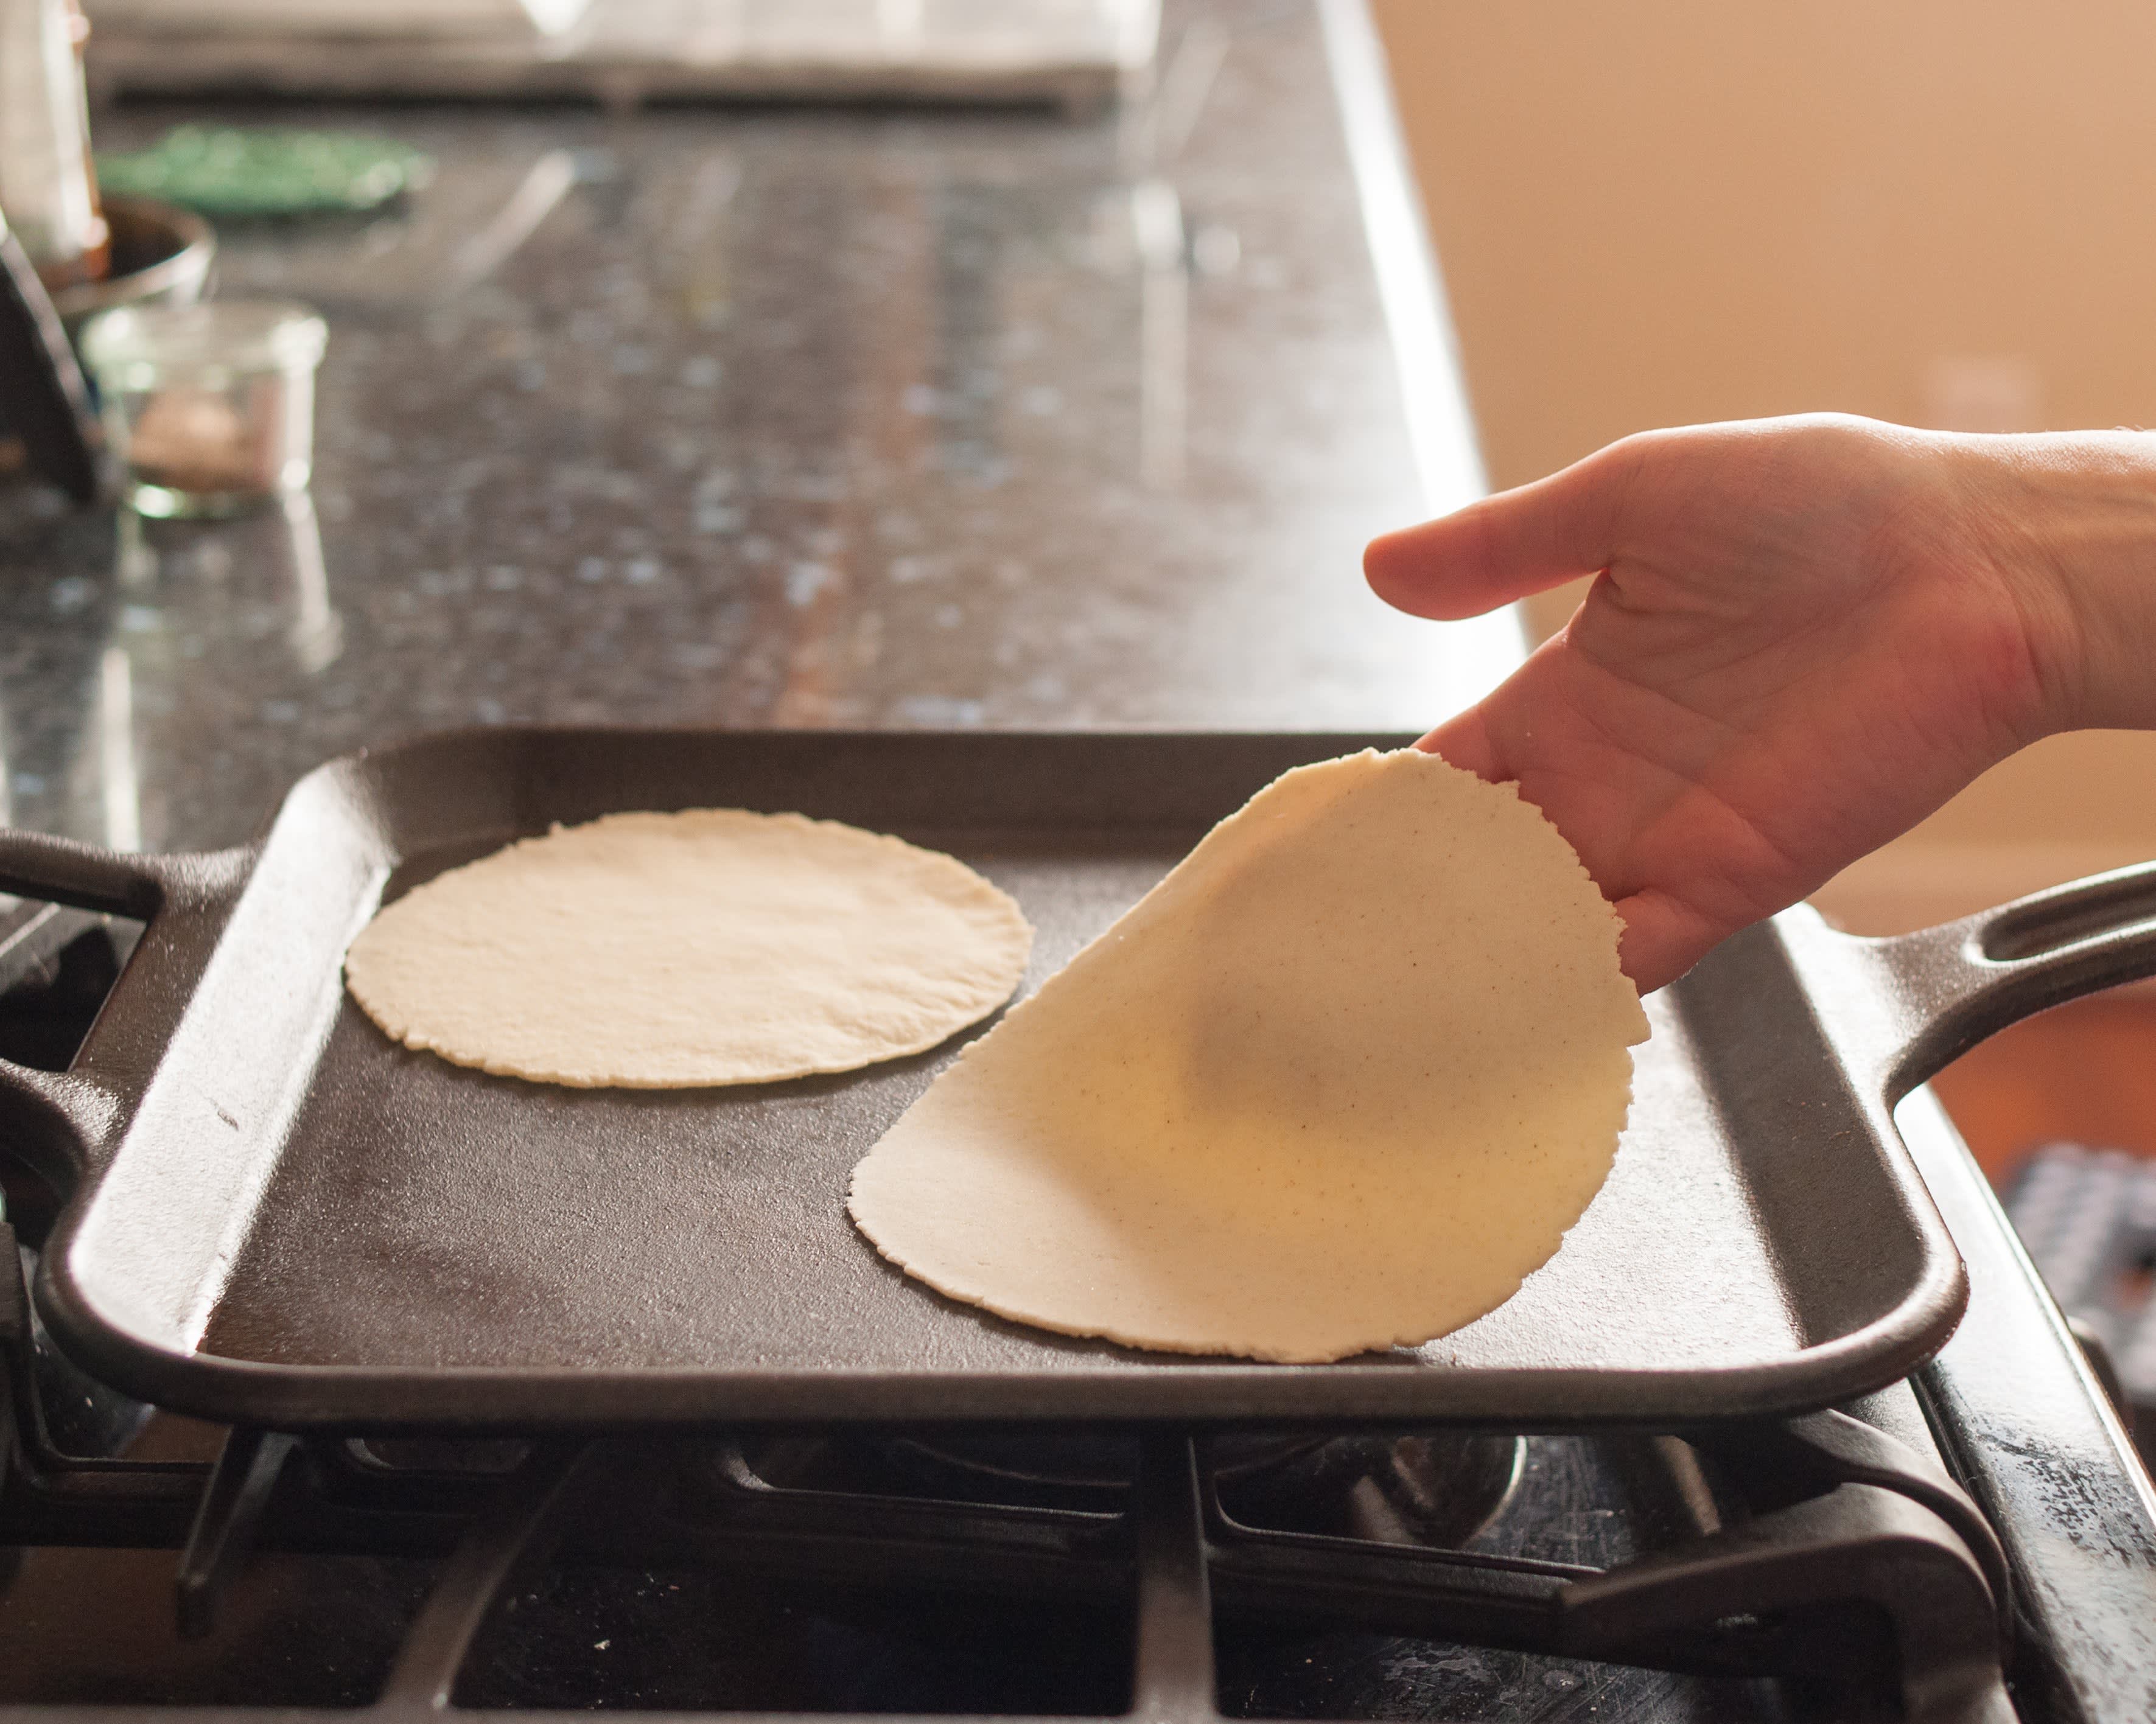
point(98, 1626)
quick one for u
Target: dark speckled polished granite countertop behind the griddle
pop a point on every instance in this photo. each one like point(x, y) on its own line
point(773, 419)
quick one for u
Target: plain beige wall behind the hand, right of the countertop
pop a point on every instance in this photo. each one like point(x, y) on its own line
point(1683, 210)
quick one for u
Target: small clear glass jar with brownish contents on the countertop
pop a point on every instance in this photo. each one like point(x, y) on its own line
point(210, 406)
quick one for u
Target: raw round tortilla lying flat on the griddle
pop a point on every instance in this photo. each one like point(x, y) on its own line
point(713, 947)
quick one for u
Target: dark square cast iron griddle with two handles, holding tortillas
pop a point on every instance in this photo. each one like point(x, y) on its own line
point(284, 1219)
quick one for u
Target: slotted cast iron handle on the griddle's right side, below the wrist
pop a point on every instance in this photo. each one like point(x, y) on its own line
point(1963, 982)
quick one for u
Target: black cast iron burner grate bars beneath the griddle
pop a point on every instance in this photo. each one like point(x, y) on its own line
point(1855, 1570)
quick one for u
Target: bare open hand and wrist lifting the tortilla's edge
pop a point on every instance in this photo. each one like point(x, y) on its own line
point(1803, 637)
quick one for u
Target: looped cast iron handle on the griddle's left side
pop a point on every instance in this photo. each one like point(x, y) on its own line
point(61, 1122)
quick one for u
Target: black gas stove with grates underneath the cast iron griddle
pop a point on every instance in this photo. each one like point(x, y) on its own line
point(1974, 1544)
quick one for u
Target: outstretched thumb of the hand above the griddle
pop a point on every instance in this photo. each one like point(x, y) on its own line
point(1508, 546)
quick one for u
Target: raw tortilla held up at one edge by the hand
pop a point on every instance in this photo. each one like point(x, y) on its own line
point(1340, 1083)
